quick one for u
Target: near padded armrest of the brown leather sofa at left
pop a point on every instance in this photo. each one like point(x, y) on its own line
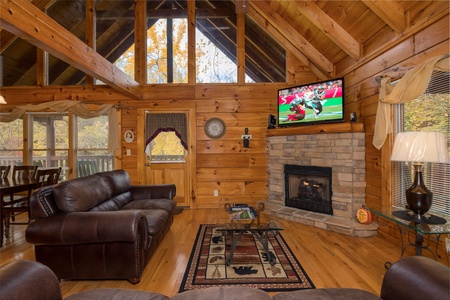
point(88, 227)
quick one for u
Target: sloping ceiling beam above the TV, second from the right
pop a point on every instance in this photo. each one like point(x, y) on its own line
point(330, 28)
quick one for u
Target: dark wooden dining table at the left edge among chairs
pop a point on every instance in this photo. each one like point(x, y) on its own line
point(10, 186)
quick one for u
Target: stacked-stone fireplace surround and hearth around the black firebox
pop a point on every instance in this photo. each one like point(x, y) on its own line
point(345, 154)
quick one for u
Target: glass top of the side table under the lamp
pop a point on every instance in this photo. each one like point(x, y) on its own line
point(426, 225)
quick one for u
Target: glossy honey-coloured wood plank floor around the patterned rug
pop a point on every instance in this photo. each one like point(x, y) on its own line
point(330, 259)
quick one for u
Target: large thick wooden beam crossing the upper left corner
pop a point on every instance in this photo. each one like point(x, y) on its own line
point(26, 21)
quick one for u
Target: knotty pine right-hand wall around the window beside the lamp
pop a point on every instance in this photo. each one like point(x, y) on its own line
point(362, 88)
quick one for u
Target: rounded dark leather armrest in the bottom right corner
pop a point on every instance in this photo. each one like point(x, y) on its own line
point(416, 277)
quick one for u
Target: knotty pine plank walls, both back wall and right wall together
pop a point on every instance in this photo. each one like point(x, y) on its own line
point(240, 174)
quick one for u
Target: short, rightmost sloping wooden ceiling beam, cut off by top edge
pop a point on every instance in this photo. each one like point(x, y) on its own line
point(390, 12)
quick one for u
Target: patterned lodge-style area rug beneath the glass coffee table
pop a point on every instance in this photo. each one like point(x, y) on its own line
point(249, 267)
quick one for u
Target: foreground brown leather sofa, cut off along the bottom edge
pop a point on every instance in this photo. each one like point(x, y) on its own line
point(411, 278)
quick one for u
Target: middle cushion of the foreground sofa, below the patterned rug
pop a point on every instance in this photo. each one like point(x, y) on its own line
point(223, 293)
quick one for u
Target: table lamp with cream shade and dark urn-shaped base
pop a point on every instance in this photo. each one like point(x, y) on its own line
point(420, 147)
